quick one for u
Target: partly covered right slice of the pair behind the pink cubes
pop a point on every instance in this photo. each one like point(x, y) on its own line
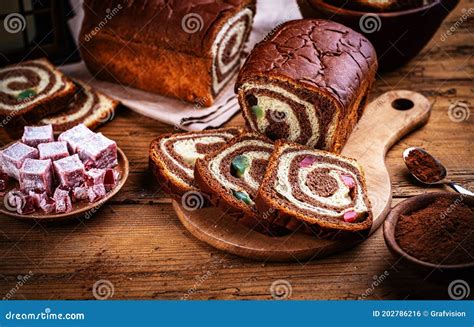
point(88, 106)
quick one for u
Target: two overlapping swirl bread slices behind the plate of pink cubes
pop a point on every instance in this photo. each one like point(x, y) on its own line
point(36, 93)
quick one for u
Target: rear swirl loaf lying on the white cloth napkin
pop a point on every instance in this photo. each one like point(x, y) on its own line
point(185, 49)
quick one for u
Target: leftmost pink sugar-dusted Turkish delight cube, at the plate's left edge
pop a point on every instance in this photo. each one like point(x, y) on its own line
point(12, 158)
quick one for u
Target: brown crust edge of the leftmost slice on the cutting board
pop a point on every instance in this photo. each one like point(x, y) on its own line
point(165, 173)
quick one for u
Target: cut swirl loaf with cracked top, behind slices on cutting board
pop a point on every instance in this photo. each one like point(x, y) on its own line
point(307, 82)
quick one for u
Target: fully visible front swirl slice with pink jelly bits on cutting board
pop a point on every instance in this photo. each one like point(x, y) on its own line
point(315, 191)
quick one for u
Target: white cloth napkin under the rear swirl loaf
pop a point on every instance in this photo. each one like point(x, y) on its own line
point(270, 13)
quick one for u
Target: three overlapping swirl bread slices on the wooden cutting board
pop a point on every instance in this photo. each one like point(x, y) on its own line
point(271, 187)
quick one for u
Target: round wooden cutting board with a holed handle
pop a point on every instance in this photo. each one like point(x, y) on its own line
point(386, 120)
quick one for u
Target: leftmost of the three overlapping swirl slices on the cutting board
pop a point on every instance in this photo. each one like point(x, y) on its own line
point(172, 156)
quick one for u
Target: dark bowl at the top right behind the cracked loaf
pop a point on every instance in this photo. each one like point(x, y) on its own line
point(397, 36)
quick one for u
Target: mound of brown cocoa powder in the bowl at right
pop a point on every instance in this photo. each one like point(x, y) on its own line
point(440, 233)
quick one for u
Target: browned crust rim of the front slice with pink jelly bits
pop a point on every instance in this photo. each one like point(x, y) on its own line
point(288, 214)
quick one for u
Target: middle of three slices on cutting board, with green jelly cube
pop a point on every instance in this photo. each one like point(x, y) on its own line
point(231, 177)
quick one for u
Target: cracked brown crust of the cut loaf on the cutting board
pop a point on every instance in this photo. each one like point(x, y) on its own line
point(317, 60)
